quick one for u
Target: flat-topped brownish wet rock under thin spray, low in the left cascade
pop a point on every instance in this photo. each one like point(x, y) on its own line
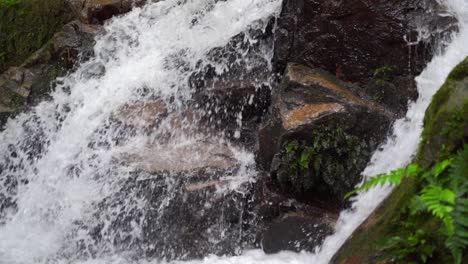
point(187, 203)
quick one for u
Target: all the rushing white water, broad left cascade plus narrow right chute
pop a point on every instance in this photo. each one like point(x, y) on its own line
point(62, 165)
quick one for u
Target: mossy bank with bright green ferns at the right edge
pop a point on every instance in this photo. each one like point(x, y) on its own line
point(424, 219)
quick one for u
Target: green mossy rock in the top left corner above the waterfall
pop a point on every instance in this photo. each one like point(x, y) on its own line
point(26, 25)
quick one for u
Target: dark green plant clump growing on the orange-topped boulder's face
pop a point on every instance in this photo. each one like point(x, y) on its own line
point(329, 162)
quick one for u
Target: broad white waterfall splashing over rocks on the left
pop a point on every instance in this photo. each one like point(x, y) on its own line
point(73, 170)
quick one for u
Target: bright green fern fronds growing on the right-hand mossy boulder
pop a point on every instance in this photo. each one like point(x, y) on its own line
point(444, 191)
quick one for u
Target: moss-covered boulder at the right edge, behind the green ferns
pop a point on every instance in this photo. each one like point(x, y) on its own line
point(445, 132)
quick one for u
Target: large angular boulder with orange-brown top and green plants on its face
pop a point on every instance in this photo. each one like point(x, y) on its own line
point(319, 135)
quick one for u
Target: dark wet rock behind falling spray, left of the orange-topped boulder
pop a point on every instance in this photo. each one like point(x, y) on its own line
point(234, 100)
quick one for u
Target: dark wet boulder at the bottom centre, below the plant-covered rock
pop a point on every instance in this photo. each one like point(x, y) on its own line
point(284, 223)
